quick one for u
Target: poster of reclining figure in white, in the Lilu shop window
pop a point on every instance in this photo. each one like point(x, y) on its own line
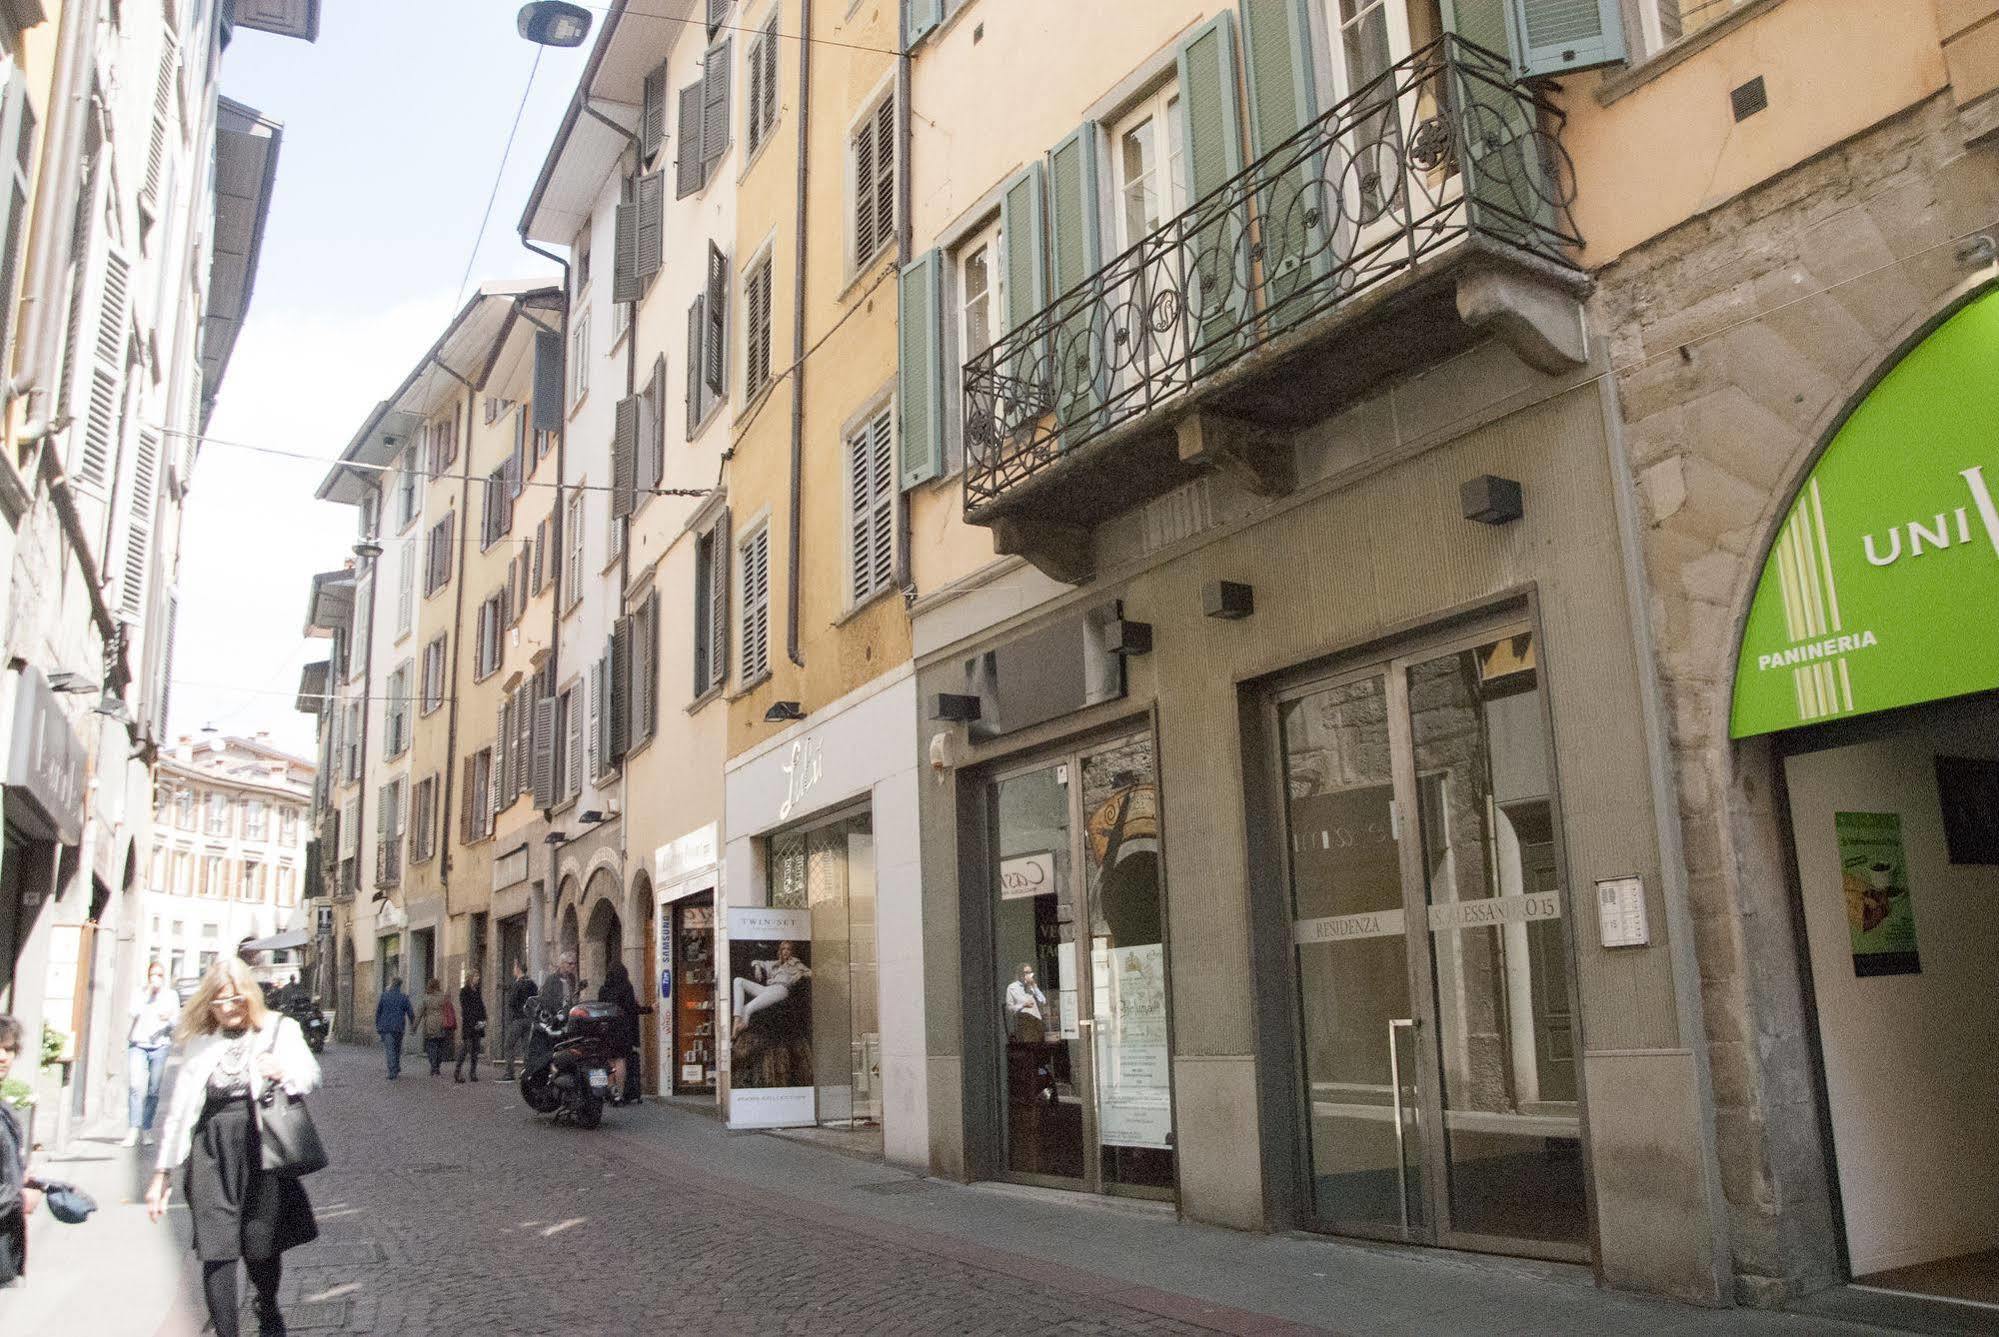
point(771, 1018)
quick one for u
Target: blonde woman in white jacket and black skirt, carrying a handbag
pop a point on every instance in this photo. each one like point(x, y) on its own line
point(233, 1050)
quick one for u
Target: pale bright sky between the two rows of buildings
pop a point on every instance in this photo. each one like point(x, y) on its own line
point(395, 125)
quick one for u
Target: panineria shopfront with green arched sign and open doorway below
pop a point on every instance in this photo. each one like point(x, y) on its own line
point(1870, 668)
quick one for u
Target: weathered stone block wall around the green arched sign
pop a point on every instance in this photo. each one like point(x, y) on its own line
point(1740, 341)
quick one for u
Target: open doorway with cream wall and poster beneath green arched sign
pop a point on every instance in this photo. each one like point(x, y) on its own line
point(1896, 838)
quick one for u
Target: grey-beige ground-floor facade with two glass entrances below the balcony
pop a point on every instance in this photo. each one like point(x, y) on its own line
point(1304, 864)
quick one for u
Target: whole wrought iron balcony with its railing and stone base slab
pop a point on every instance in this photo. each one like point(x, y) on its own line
point(1438, 165)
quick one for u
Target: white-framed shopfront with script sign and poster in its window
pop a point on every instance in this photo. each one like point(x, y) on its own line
point(825, 976)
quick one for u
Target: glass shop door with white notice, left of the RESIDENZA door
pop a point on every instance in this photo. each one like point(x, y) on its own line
point(1078, 986)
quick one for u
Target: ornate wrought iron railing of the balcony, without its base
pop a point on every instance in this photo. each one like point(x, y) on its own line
point(1438, 149)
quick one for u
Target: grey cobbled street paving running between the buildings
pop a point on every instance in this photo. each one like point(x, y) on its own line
point(451, 1210)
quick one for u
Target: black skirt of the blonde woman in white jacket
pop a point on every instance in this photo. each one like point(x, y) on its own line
point(239, 1210)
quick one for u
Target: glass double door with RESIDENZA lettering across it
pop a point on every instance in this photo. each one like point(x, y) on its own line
point(1436, 1028)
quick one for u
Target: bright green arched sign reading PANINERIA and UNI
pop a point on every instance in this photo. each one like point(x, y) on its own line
point(1882, 589)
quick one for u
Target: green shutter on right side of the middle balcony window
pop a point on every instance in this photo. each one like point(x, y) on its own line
point(1218, 233)
